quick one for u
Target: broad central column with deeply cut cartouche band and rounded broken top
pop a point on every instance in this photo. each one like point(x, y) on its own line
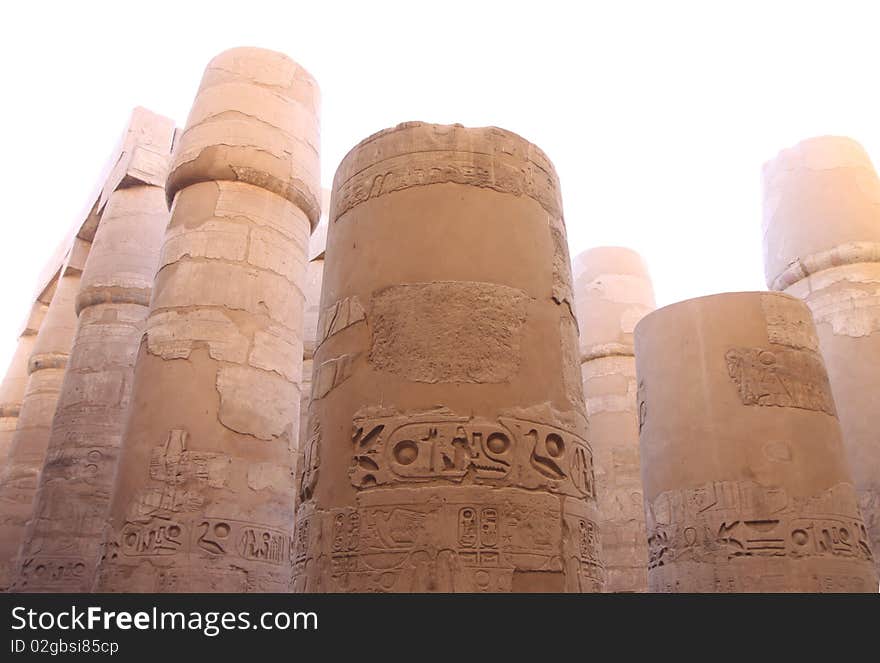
point(447, 446)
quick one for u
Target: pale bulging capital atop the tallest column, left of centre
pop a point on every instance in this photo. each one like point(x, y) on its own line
point(247, 126)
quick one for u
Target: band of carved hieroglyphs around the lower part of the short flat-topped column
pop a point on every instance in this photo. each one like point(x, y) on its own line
point(724, 520)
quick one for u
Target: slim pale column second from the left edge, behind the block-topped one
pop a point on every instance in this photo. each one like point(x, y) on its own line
point(27, 452)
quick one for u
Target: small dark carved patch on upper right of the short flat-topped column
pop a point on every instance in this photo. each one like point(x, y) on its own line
point(783, 377)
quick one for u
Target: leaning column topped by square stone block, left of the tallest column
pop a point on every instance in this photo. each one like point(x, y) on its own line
point(63, 536)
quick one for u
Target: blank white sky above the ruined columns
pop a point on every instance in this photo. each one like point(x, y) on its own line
point(657, 115)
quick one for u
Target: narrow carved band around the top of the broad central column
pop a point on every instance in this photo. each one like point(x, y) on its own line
point(486, 171)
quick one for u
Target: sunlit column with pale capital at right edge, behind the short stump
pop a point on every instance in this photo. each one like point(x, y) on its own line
point(822, 244)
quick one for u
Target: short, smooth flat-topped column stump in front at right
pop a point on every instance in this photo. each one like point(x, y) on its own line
point(746, 483)
